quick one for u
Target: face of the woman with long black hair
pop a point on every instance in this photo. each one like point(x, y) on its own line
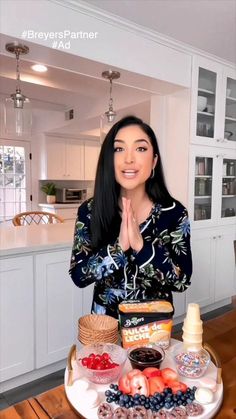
point(133, 157)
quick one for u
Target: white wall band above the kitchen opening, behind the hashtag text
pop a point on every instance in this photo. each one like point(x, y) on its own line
point(114, 45)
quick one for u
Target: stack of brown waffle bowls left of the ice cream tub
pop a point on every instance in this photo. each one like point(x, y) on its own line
point(97, 328)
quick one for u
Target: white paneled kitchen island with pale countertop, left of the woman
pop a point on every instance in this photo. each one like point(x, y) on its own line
point(40, 304)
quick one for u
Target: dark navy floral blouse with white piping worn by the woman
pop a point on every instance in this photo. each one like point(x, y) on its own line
point(163, 265)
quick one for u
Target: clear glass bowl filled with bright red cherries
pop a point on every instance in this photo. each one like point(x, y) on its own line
point(101, 363)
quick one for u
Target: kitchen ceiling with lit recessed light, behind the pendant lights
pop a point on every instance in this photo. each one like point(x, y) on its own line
point(73, 81)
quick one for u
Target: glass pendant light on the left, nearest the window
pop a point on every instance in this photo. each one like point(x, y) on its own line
point(17, 109)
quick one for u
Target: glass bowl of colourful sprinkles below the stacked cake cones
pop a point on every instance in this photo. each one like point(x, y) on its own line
point(192, 364)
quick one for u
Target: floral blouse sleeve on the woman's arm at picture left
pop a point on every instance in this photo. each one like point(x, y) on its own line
point(86, 266)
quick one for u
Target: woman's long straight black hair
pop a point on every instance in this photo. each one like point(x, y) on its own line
point(105, 217)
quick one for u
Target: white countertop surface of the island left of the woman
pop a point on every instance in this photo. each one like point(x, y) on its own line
point(34, 238)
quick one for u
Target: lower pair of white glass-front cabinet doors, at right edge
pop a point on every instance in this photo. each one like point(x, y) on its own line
point(212, 185)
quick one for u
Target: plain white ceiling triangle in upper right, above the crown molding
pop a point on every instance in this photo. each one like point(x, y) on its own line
point(209, 25)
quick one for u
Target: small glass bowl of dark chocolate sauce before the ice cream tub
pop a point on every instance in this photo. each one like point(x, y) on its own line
point(143, 356)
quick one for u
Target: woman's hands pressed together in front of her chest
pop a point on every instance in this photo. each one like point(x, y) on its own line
point(129, 229)
